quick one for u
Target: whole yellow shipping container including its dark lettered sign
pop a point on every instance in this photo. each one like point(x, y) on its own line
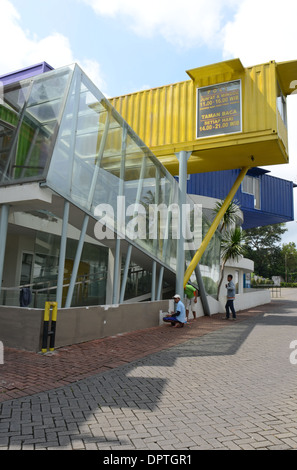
point(228, 116)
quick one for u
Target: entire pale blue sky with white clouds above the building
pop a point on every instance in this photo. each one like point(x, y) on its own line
point(130, 45)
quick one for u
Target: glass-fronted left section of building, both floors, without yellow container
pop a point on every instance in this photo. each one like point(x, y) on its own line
point(76, 187)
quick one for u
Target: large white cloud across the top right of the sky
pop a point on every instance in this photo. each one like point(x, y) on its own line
point(256, 31)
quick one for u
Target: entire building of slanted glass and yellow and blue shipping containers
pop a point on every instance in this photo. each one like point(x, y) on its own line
point(78, 174)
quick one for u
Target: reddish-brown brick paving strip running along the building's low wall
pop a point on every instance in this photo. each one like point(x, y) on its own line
point(24, 373)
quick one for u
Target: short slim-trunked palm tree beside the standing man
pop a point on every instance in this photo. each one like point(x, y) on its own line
point(232, 247)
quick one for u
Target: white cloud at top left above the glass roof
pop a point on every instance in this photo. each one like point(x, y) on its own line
point(21, 48)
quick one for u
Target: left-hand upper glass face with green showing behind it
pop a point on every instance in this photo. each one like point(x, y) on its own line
point(31, 110)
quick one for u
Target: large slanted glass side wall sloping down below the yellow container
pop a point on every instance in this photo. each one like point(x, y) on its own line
point(98, 158)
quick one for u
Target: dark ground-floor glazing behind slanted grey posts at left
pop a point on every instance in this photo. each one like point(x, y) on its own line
point(39, 264)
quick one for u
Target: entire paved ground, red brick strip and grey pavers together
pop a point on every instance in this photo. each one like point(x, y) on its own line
point(213, 385)
